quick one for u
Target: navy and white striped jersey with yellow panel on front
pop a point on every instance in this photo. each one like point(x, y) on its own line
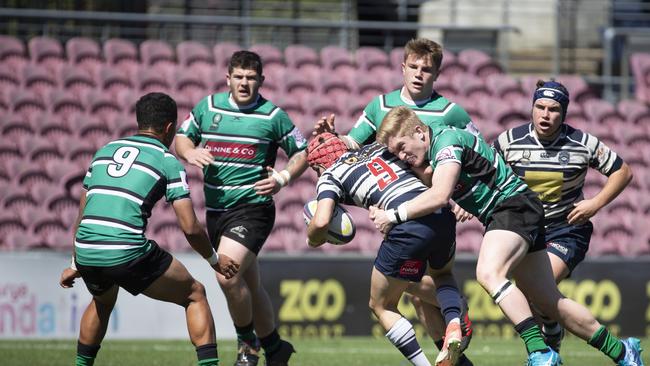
point(556, 170)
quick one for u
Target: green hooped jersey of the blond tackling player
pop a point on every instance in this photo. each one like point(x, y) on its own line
point(485, 179)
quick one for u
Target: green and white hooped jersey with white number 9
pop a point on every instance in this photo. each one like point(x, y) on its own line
point(125, 179)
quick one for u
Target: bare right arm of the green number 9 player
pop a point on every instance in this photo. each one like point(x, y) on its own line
point(199, 241)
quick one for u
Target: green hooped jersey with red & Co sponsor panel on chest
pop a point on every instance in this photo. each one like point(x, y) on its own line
point(243, 142)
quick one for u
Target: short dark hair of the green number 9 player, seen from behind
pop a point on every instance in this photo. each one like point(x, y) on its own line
point(154, 110)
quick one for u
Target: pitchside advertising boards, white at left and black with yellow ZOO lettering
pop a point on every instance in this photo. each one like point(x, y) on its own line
point(313, 297)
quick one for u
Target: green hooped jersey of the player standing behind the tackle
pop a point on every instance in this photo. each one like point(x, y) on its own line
point(435, 112)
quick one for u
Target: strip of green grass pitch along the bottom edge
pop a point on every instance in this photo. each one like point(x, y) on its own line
point(361, 351)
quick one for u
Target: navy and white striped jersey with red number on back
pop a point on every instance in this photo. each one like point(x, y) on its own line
point(369, 176)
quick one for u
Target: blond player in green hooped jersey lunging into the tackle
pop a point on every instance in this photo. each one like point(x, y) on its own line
point(477, 177)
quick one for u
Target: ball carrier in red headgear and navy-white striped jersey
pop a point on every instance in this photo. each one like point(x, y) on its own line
point(372, 176)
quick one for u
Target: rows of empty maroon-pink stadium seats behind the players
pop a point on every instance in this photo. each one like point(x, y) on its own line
point(60, 101)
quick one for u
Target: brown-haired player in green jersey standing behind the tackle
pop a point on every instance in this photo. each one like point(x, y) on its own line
point(420, 69)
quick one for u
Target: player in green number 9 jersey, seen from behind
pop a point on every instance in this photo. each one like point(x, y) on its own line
point(126, 178)
